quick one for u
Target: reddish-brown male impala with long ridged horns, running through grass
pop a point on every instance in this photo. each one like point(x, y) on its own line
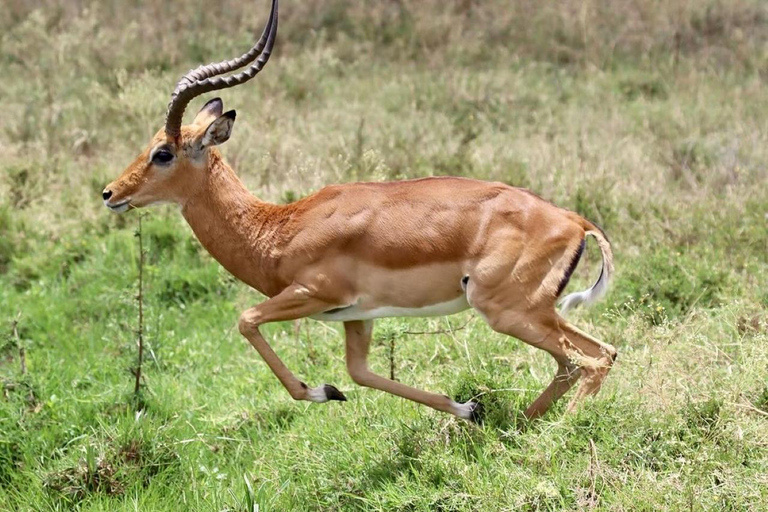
point(361, 251)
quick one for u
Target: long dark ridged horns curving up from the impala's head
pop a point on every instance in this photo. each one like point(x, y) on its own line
point(205, 78)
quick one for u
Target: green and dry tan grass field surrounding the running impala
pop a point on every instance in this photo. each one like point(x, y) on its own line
point(650, 118)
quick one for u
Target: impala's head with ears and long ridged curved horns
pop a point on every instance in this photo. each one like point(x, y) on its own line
point(174, 163)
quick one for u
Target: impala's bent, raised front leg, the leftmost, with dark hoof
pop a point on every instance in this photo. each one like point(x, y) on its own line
point(294, 302)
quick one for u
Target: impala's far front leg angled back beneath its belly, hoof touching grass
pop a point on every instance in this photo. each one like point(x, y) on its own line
point(358, 339)
